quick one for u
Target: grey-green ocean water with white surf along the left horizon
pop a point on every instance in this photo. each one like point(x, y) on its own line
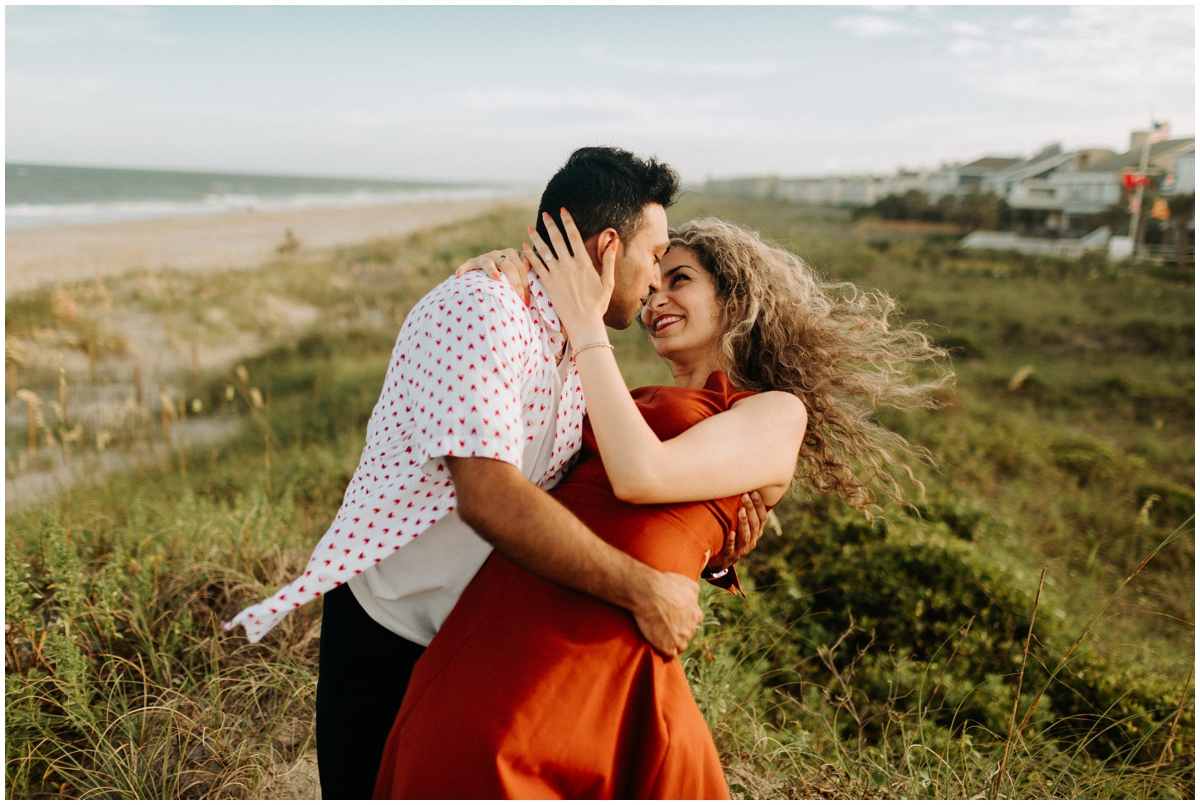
point(39, 195)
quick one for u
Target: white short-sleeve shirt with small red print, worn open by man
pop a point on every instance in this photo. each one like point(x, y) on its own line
point(471, 376)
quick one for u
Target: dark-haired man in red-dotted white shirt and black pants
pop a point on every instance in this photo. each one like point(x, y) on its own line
point(481, 412)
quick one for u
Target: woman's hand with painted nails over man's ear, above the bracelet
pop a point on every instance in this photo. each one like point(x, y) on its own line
point(578, 292)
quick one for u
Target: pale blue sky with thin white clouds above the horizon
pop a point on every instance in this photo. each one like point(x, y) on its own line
point(505, 94)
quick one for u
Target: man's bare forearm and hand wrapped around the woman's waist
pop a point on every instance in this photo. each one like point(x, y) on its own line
point(537, 533)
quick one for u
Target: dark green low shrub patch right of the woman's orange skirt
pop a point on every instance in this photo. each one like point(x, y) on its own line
point(925, 616)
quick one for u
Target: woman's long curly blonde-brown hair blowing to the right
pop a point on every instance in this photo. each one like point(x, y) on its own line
point(831, 345)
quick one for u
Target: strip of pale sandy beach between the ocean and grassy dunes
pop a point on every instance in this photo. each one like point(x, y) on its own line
point(49, 255)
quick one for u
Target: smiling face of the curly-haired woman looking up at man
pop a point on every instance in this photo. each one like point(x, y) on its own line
point(683, 317)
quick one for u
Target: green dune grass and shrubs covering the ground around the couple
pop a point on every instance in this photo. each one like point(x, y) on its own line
point(887, 659)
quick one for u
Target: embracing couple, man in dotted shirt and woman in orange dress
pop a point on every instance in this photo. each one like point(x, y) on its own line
point(513, 572)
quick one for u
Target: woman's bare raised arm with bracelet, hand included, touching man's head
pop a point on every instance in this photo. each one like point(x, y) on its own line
point(753, 446)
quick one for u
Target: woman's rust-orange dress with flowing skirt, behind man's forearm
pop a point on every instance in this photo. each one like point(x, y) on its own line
point(532, 690)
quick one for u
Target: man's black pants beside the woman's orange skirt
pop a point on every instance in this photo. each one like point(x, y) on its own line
point(364, 675)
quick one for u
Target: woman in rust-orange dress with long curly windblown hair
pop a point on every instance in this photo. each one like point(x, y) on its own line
point(772, 368)
